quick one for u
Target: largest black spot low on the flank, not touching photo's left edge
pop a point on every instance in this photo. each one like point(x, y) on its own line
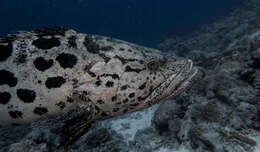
point(26, 95)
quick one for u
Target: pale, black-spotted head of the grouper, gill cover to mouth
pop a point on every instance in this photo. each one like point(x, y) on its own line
point(136, 79)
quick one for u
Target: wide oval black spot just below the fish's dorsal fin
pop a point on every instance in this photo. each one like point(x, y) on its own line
point(46, 43)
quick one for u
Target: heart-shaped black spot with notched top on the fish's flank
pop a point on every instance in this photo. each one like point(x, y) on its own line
point(41, 64)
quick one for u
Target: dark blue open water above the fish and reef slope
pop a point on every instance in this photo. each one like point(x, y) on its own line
point(143, 22)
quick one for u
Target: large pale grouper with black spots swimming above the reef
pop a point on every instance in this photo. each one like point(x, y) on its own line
point(85, 78)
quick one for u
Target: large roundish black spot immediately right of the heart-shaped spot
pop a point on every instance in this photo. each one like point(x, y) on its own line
point(67, 60)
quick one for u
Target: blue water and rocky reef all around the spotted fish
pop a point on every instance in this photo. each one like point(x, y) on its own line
point(220, 113)
